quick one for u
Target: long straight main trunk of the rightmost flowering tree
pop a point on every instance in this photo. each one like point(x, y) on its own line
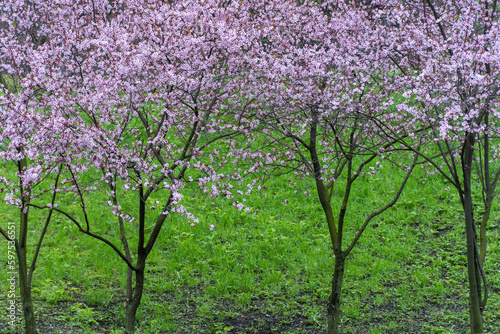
point(476, 321)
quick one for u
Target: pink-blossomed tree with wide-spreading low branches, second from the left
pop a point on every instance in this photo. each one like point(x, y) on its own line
point(133, 91)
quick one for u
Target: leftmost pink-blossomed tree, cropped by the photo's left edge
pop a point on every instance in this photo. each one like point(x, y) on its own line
point(28, 144)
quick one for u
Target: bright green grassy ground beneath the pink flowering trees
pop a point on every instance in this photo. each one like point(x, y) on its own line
point(269, 272)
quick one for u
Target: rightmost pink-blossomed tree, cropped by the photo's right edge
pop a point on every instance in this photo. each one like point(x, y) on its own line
point(447, 54)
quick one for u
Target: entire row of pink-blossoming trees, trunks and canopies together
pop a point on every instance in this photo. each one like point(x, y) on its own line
point(136, 99)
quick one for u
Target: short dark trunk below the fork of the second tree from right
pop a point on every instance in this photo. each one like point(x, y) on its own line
point(333, 315)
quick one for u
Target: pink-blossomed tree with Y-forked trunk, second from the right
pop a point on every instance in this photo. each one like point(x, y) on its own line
point(318, 79)
